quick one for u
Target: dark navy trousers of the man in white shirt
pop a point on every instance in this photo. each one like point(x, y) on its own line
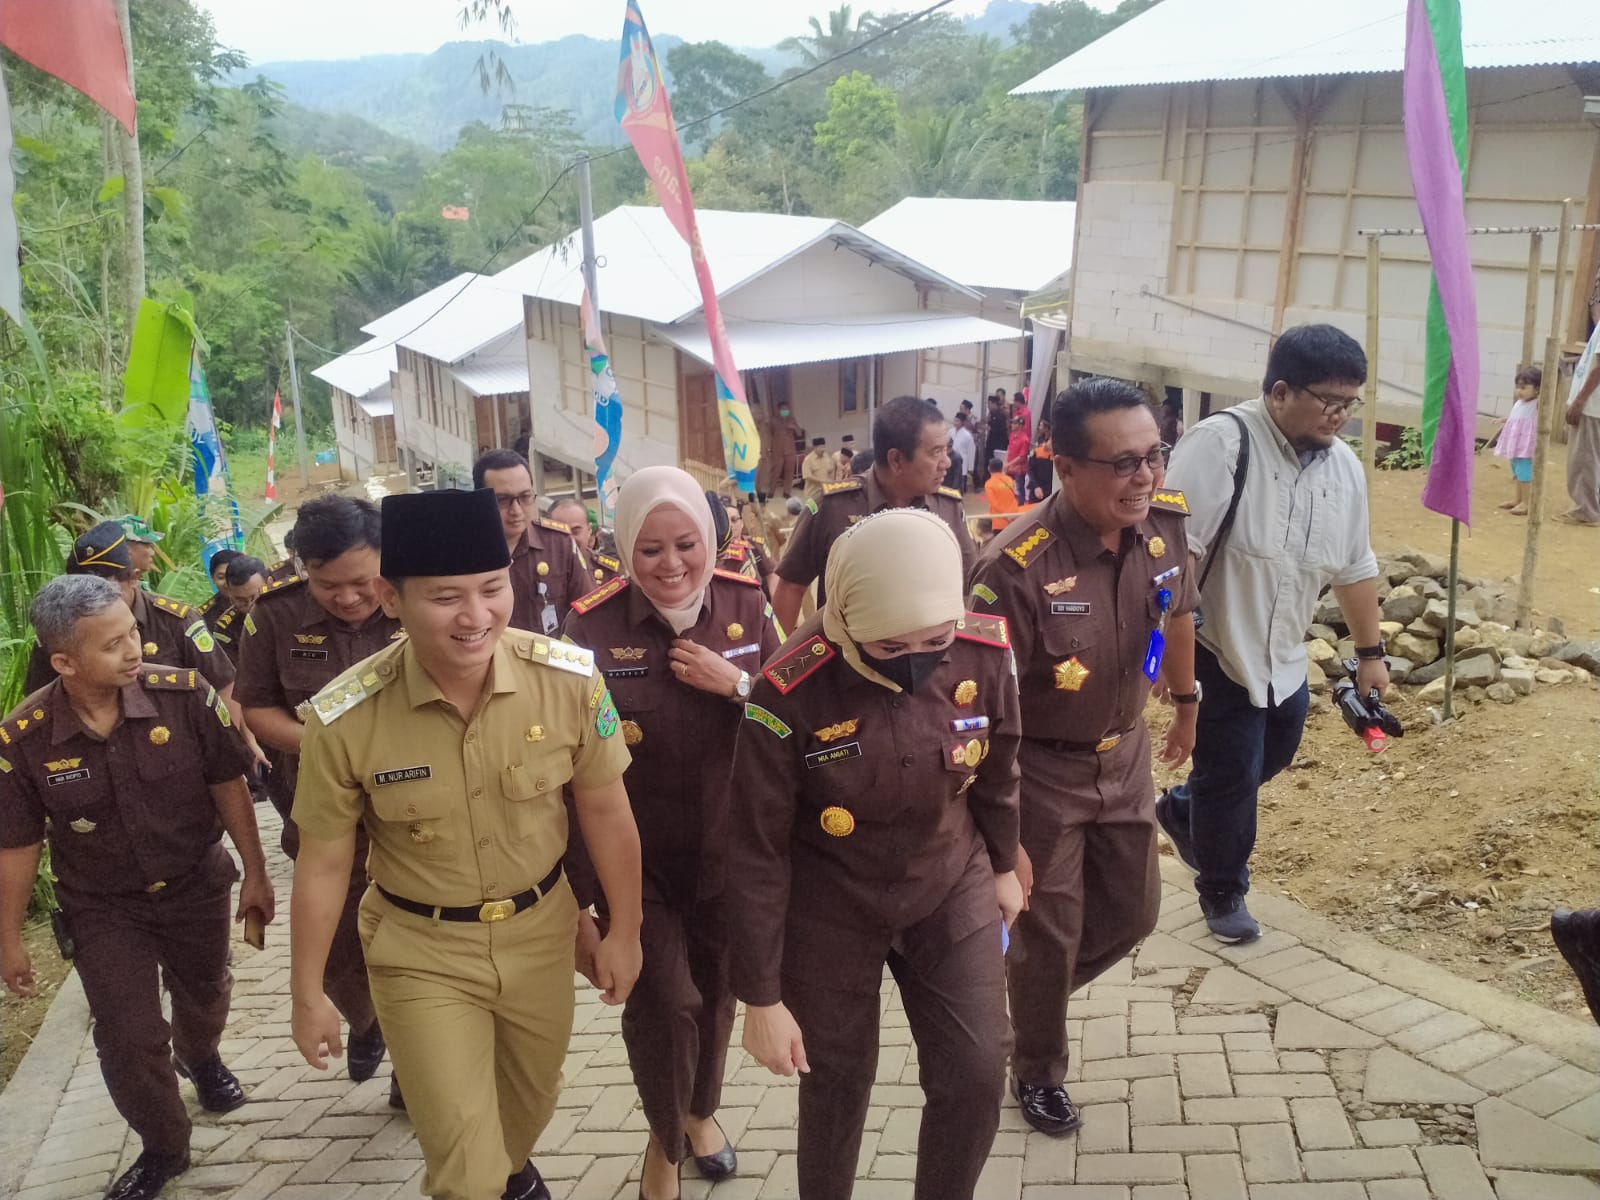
point(1238, 750)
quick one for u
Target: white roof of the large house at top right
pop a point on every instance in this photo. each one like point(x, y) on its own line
point(1193, 41)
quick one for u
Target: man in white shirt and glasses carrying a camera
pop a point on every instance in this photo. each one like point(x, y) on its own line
point(1302, 526)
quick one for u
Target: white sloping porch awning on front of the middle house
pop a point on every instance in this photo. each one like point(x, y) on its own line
point(759, 345)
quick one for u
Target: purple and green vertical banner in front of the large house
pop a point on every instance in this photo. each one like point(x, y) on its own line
point(1436, 142)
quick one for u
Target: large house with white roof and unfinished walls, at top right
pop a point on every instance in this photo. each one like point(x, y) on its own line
point(1234, 150)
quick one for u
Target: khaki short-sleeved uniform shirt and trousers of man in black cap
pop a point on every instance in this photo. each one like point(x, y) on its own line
point(466, 809)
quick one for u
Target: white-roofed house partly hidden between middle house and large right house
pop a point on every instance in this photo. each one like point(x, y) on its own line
point(1014, 254)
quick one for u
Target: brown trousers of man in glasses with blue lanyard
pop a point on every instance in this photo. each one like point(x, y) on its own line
point(1089, 828)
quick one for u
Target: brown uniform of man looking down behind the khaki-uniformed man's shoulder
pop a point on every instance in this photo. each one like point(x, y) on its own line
point(290, 650)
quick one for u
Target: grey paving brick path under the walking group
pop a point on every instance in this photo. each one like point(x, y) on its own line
point(1258, 1073)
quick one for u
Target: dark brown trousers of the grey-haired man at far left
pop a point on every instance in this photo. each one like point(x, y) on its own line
point(129, 948)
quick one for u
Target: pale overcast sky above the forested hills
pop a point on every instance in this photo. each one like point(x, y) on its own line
point(300, 30)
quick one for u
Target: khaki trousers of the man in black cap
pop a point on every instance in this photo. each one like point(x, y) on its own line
point(478, 1020)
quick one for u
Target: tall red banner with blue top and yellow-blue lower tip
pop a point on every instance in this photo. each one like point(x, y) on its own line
point(646, 114)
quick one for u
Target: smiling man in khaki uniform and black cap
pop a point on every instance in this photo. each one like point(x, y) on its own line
point(452, 748)
